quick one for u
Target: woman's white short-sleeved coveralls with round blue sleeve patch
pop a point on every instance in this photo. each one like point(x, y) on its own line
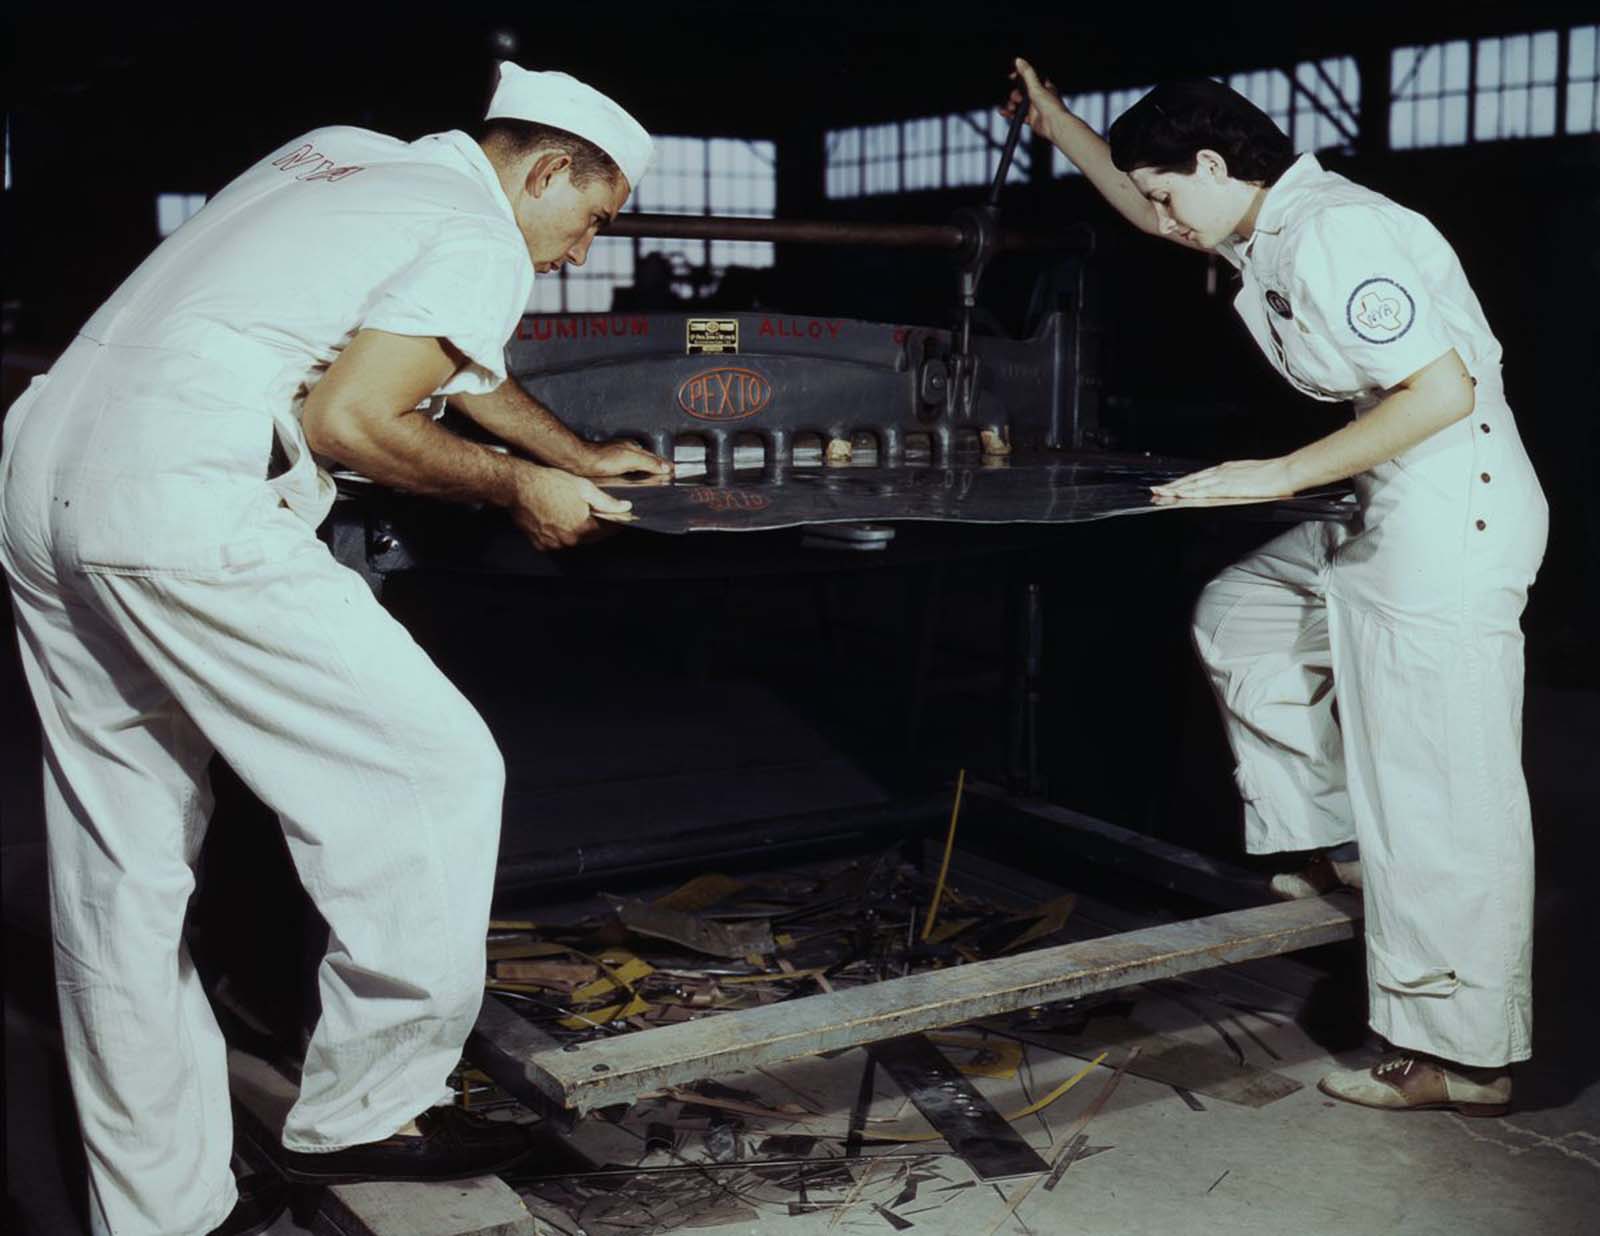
point(1370, 676)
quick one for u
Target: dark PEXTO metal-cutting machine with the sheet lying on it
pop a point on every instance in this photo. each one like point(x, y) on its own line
point(783, 420)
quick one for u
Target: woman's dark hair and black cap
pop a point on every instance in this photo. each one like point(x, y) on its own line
point(1178, 119)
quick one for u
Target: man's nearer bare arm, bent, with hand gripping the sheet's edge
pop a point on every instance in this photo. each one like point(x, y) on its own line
point(364, 414)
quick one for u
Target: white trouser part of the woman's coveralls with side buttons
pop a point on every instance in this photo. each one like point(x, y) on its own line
point(1370, 681)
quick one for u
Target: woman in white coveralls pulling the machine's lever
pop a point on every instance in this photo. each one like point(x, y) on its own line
point(1370, 676)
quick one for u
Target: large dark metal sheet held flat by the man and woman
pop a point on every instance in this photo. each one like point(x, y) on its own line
point(999, 491)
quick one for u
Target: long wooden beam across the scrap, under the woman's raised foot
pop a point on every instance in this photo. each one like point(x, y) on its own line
point(586, 1077)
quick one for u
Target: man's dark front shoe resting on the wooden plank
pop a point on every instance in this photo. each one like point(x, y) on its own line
point(454, 1146)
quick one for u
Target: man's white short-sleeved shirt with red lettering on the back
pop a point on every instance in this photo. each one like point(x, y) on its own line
point(338, 231)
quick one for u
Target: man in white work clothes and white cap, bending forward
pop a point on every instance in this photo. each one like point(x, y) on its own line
point(158, 529)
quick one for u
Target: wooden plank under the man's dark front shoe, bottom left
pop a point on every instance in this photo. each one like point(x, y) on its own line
point(484, 1206)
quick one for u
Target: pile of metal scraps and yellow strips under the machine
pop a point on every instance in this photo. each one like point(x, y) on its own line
point(882, 1134)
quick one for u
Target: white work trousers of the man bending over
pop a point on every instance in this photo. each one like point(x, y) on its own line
point(172, 606)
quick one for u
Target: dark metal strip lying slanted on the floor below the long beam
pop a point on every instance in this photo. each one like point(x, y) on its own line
point(954, 1107)
